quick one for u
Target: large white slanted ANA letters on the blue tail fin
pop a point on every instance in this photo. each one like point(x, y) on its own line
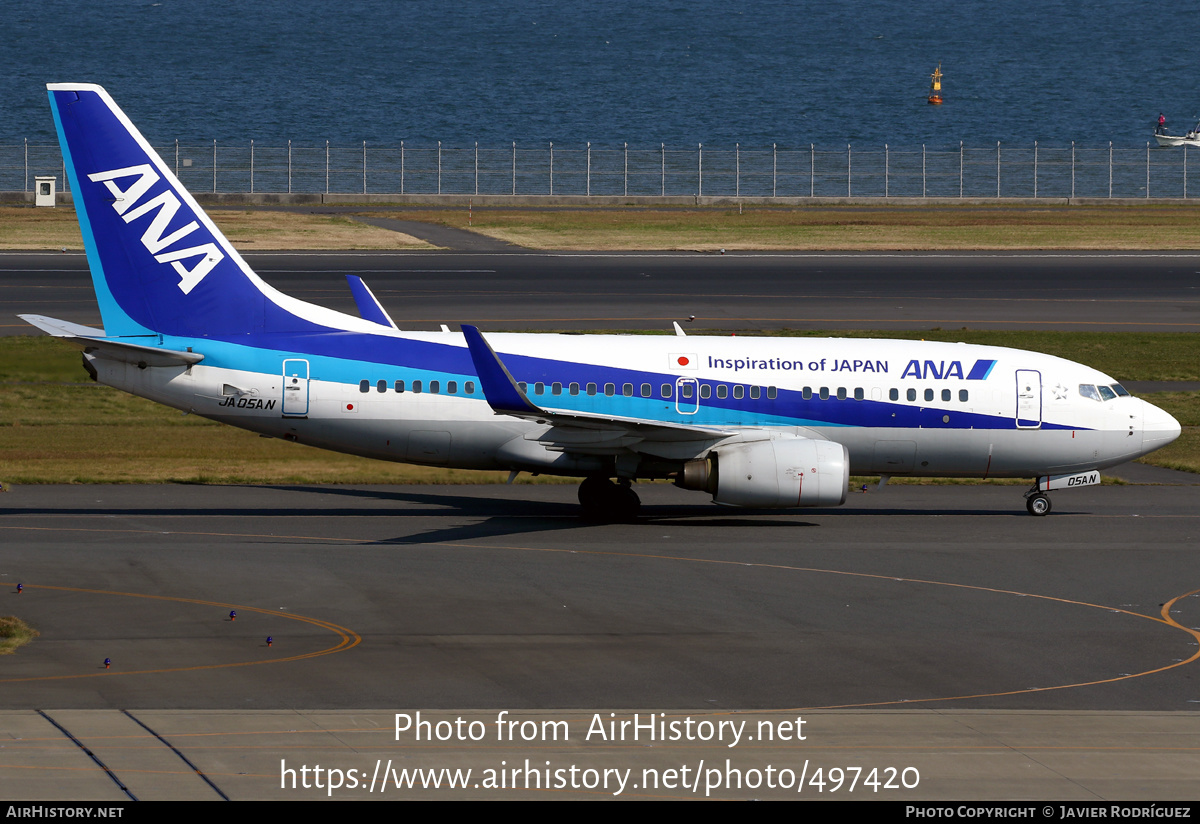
point(167, 203)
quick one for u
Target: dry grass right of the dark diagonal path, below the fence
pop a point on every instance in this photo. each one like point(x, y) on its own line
point(832, 227)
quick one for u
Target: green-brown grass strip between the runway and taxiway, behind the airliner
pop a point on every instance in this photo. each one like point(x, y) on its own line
point(59, 428)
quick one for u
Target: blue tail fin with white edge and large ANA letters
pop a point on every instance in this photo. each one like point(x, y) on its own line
point(159, 263)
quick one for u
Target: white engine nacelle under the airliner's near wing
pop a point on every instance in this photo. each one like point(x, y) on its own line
point(772, 474)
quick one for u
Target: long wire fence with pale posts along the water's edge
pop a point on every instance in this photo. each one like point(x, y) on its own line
point(1000, 171)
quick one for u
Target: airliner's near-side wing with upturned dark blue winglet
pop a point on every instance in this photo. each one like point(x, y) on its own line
point(507, 398)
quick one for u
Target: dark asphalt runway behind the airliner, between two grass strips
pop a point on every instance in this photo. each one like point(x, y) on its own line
point(535, 291)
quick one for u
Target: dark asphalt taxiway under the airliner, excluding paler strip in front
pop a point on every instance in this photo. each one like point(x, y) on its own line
point(500, 597)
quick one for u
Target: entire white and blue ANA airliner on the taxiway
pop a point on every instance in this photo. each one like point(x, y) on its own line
point(761, 423)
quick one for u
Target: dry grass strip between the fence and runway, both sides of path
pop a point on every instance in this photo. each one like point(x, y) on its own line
point(883, 226)
